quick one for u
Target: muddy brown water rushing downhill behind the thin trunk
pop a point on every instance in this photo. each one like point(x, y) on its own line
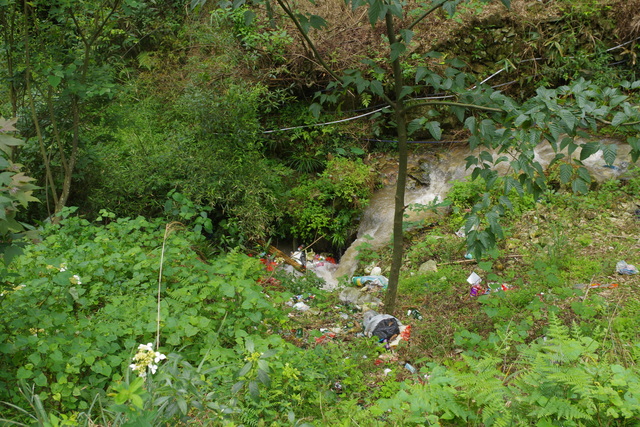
point(432, 175)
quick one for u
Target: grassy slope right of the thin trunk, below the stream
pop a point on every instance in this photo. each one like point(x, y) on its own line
point(567, 240)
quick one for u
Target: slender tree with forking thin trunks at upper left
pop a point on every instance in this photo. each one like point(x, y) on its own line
point(52, 50)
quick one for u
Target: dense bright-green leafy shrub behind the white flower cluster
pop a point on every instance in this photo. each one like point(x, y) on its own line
point(81, 300)
